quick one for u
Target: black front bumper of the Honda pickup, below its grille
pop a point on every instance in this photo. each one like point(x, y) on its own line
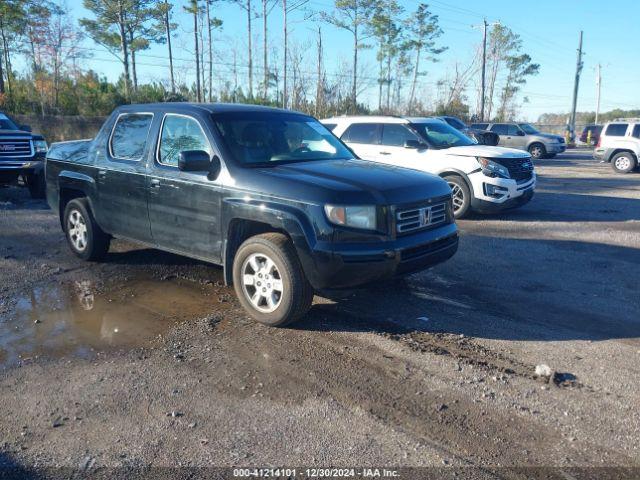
point(351, 265)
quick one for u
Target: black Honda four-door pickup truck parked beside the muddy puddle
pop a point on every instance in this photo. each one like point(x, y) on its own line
point(271, 195)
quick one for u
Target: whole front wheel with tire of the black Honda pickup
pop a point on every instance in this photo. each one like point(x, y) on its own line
point(265, 259)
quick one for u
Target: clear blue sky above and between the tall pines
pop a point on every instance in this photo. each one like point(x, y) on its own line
point(549, 31)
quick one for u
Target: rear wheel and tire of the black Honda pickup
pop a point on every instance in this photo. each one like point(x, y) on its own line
point(85, 238)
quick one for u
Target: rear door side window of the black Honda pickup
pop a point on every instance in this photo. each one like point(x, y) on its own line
point(129, 136)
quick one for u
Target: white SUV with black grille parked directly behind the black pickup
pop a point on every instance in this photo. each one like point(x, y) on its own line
point(482, 178)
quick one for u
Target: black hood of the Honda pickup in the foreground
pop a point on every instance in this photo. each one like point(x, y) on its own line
point(350, 182)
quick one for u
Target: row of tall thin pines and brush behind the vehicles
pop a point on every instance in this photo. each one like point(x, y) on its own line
point(289, 73)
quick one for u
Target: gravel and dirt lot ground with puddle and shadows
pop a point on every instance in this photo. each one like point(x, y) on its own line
point(147, 361)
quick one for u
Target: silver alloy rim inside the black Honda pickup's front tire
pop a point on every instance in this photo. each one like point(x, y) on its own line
point(262, 283)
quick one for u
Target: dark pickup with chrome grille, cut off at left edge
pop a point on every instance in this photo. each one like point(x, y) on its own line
point(22, 156)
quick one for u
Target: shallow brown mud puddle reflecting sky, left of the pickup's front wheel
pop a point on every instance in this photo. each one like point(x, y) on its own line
point(76, 318)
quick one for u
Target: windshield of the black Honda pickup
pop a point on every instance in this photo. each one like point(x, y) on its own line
point(258, 139)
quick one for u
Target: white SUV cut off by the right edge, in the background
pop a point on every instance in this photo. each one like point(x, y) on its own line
point(619, 144)
